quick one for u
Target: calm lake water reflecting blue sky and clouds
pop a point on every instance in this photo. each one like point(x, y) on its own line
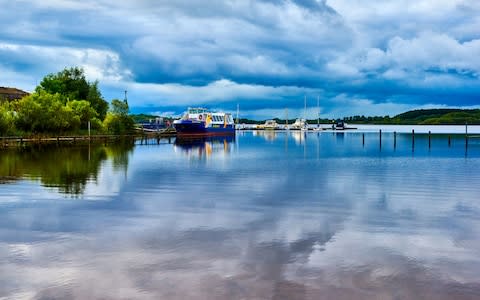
point(263, 216)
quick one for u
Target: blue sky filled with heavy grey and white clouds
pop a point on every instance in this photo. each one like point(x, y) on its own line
point(353, 57)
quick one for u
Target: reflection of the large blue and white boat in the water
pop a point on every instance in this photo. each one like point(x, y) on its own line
point(205, 147)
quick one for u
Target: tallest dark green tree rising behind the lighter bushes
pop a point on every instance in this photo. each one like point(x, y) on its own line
point(72, 85)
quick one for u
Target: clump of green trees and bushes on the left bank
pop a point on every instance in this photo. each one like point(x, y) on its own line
point(64, 103)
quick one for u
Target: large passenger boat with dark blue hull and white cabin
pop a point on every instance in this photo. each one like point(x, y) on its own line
point(201, 122)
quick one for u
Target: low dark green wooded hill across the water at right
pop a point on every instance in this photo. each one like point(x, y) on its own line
point(424, 117)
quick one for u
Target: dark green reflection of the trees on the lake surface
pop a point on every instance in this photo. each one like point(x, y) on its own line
point(67, 169)
